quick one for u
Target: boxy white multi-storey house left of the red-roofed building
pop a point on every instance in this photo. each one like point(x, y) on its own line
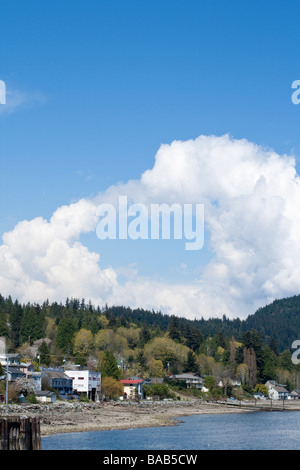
point(87, 382)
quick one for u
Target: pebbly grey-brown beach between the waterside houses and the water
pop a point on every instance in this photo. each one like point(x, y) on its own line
point(67, 417)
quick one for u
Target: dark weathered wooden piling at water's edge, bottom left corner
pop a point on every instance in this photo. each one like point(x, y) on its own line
point(19, 433)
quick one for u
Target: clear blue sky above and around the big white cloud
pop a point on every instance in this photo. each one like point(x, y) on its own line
point(94, 88)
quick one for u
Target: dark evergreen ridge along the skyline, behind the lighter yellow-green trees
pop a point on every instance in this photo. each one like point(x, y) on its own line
point(278, 322)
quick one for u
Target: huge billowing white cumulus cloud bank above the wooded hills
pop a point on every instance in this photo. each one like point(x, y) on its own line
point(251, 197)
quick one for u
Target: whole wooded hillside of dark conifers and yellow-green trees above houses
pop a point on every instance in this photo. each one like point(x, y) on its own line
point(150, 343)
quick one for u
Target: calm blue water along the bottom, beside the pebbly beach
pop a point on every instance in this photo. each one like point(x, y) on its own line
point(253, 431)
